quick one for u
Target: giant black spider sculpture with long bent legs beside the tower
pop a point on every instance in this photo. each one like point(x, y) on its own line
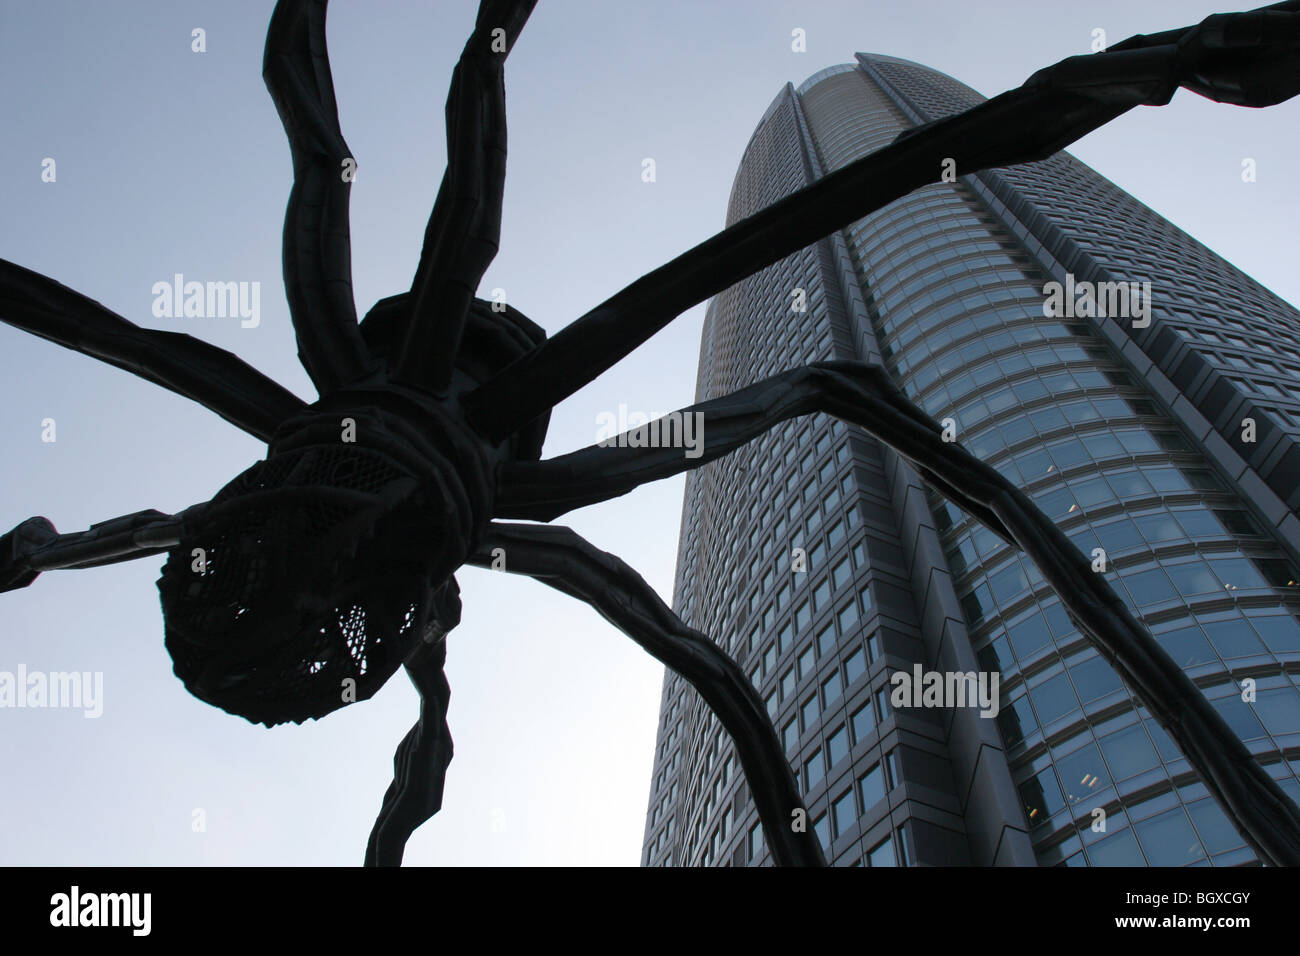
point(319, 572)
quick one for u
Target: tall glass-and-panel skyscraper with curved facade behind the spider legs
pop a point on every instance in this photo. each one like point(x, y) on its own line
point(1150, 404)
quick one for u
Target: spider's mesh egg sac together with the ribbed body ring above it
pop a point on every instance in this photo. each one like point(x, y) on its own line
point(317, 573)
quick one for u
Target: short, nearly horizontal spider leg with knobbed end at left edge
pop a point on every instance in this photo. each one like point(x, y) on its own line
point(36, 546)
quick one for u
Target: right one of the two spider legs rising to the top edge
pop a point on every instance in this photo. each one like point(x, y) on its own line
point(465, 228)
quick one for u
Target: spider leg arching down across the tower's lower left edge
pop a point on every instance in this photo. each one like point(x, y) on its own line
point(567, 563)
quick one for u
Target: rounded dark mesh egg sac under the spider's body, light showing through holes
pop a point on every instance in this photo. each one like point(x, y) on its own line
point(313, 570)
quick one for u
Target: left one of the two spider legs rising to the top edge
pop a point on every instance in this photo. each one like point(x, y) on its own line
point(318, 257)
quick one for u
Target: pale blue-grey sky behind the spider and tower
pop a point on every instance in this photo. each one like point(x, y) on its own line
point(172, 162)
